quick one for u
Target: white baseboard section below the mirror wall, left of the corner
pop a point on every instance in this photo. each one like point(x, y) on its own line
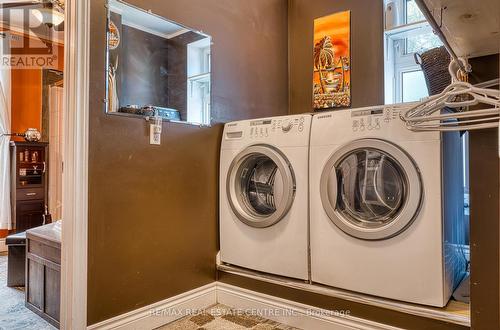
point(162, 312)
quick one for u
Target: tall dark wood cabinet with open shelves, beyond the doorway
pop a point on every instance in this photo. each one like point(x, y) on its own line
point(29, 183)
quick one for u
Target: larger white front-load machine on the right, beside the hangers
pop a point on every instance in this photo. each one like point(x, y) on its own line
point(387, 216)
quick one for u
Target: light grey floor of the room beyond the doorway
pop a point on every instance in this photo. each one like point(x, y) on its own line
point(13, 314)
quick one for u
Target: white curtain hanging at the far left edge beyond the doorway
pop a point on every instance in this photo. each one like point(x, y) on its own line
point(5, 218)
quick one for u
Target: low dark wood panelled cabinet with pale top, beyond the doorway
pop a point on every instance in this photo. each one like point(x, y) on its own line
point(43, 271)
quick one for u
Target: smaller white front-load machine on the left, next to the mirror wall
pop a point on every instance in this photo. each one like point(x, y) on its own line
point(264, 195)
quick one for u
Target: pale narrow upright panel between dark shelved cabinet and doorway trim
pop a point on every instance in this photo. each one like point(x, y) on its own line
point(55, 151)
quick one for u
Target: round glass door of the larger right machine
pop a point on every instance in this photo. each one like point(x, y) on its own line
point(371, 189)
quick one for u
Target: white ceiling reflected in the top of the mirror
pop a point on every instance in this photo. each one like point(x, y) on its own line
point(145, 21)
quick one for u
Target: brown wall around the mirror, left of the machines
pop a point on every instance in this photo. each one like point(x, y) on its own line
point(153, 209)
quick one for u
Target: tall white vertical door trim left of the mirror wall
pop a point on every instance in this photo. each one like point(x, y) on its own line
point(75, 175)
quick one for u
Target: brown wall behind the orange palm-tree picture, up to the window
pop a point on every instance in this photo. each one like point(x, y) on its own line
point(367, 50)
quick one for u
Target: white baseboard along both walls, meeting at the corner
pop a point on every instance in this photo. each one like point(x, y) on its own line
point(277, 309)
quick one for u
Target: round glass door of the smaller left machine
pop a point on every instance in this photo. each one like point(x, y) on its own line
point(260, 186)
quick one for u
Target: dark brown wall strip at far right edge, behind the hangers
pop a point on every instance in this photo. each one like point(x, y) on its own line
point(484, 212)
